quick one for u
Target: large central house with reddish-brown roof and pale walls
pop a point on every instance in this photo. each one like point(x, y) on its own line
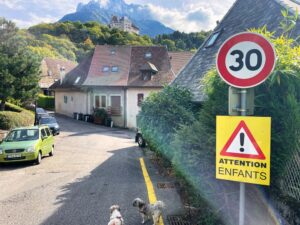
point(116, 78)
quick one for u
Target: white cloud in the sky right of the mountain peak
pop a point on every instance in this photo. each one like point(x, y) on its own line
point(188, 15)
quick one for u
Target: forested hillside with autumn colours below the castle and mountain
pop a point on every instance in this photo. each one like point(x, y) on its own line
point(74, 40)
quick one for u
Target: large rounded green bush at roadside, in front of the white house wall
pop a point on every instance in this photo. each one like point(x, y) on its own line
point(161, 114)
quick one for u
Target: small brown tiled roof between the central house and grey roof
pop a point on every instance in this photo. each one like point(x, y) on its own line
point(179, 60)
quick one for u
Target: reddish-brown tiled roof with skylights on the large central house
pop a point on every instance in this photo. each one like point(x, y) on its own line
point(130, 63)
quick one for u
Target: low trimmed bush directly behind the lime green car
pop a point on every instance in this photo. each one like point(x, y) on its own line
point(10, 120)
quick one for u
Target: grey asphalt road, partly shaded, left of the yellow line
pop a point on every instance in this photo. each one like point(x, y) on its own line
point(93, 167)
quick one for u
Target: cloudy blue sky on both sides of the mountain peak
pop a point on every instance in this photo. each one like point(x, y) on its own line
point(182, 15)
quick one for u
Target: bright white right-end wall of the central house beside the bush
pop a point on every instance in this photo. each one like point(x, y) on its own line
point(132, 103)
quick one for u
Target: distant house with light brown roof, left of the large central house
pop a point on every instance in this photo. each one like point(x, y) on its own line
point(52, 70)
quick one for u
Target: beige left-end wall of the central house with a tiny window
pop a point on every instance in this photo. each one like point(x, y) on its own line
point(76, 102)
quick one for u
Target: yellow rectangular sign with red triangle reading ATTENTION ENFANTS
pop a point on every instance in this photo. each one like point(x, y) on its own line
point(243, 149)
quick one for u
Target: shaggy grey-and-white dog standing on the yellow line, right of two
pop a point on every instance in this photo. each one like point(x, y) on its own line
point(149, 210)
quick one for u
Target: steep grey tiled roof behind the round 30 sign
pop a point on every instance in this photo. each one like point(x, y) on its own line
point(244, 14)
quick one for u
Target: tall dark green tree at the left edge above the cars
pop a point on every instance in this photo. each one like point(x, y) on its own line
point(19, 68)
